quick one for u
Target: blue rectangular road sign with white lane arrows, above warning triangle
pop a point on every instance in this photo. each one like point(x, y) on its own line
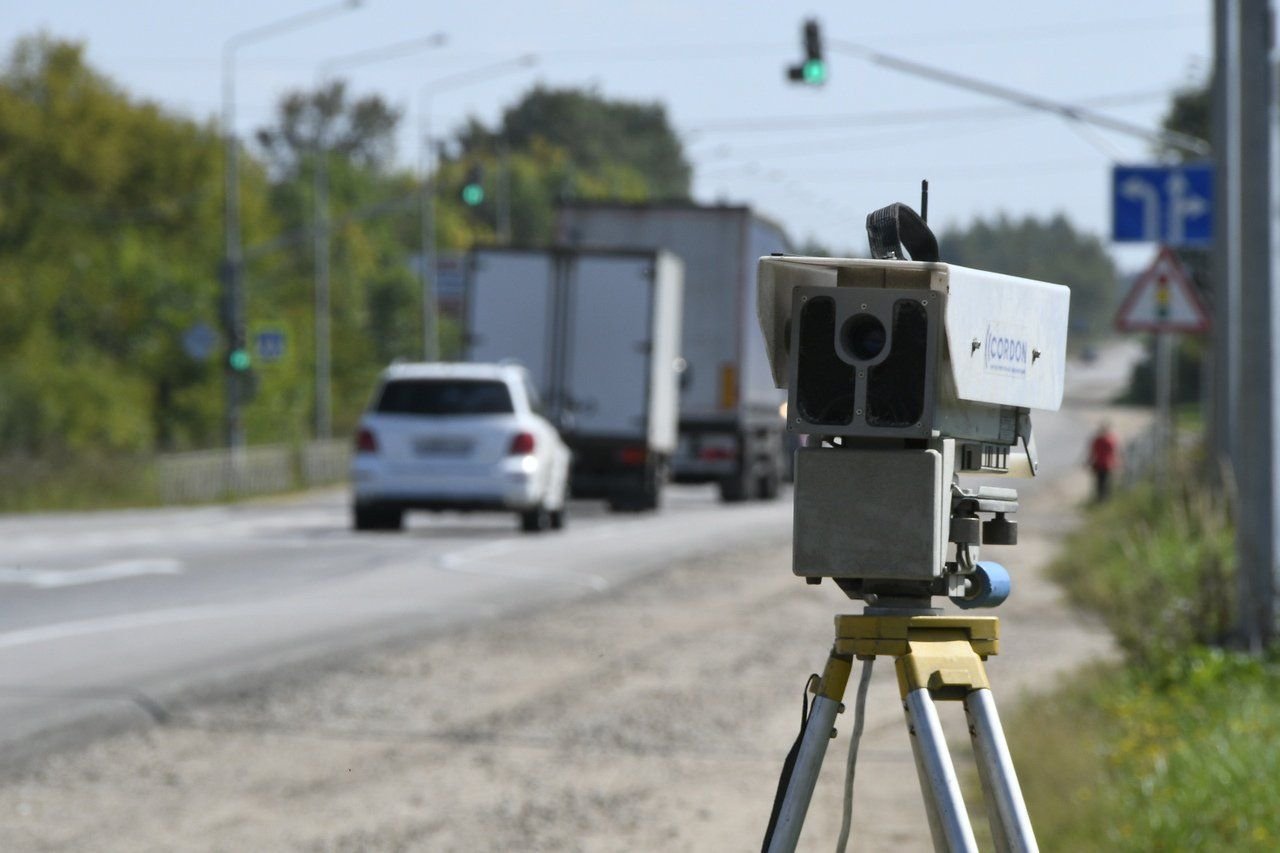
point(1164, 204)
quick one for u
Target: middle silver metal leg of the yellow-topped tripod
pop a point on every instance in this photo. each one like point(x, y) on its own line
point(949, 822)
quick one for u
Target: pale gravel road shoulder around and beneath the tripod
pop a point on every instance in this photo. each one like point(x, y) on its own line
point(653, 718)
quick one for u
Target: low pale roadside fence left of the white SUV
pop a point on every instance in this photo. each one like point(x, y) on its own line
point(212, 476)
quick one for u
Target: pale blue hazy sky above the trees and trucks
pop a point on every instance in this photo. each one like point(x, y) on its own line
point(816, 159)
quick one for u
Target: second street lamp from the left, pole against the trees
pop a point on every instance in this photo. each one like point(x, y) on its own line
point(322, 234)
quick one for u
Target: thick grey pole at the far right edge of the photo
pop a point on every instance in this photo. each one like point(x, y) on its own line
point(1250, 188)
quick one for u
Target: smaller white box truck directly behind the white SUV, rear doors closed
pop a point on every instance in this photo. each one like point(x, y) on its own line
point(600, 332)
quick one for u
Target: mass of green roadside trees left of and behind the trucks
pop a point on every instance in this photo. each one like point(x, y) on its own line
point(112, 238)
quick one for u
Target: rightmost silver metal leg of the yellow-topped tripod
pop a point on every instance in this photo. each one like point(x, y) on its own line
point(1011, 824)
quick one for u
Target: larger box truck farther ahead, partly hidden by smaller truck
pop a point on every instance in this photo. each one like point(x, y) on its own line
point(732, 419)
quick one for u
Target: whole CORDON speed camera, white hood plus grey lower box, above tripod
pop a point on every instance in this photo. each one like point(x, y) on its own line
point(904, 375)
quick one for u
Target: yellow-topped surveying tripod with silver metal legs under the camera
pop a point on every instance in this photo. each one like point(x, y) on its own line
point(938, 658)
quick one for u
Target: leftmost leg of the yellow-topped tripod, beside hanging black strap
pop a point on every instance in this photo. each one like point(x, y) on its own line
point(813, 749)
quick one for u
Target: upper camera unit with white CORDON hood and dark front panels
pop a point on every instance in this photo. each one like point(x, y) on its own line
point(912, 350)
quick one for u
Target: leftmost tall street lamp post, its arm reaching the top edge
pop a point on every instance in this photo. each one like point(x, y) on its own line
point(232, 273)
